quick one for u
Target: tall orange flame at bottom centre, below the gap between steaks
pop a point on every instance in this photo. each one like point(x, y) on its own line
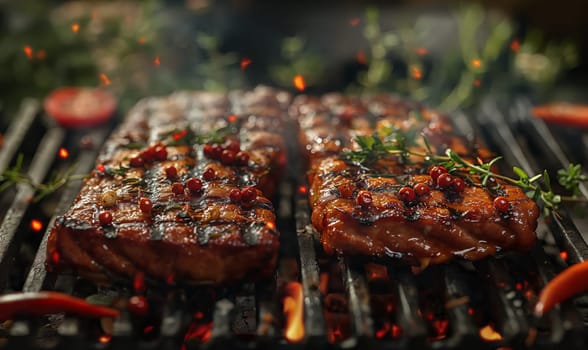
point(293, 311)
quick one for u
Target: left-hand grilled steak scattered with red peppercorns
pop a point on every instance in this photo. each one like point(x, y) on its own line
point(181, 191)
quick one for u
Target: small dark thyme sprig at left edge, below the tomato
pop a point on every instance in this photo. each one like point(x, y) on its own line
point(14, 175)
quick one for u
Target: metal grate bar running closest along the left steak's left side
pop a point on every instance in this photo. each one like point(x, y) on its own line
point(37, 277)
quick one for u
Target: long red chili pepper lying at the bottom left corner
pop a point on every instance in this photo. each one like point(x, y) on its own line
point(41, 303)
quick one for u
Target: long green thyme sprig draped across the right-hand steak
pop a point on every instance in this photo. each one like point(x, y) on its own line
point(374, 147)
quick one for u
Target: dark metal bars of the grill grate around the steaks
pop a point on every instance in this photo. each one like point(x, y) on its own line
point(505, 302)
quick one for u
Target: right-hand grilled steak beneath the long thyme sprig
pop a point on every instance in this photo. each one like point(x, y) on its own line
point(358, 209)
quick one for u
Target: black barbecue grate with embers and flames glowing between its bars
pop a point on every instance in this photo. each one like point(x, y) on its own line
point(315, 301)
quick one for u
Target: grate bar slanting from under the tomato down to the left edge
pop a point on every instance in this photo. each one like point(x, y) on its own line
point(39, 167)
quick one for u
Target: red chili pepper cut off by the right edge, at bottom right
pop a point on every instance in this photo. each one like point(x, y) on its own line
point(569, 282)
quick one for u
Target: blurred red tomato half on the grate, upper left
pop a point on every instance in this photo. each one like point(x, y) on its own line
point(78, 107)
